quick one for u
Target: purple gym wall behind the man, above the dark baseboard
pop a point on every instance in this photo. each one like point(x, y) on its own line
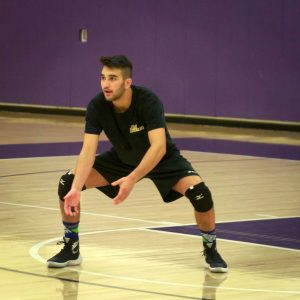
point(226, 58)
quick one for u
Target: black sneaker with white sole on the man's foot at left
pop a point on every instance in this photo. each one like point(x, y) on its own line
point(68, 256)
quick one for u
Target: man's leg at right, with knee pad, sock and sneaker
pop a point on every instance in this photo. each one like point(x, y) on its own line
point(200, 197)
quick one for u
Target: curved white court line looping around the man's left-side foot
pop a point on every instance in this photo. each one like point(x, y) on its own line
point(34, 252)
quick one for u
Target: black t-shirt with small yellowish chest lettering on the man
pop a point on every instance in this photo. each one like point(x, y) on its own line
point(128, 131)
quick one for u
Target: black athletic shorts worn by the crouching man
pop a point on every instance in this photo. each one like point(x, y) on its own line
point(165, 175)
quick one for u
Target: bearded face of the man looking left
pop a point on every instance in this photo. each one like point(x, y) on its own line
point(113, 84)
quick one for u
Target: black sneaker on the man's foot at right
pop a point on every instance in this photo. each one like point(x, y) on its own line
point(214, 260)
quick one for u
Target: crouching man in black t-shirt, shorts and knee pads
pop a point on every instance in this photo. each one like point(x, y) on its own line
point(132, 117)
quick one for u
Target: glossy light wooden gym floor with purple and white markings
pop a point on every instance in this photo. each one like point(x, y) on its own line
point(143, 248)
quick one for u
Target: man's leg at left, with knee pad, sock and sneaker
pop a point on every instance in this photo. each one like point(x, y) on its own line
point(70, 254)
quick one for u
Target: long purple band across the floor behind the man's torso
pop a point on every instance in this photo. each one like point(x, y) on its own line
point(194, 144)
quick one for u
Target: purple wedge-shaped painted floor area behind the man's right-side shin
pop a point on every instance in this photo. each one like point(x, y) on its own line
point(283, 232)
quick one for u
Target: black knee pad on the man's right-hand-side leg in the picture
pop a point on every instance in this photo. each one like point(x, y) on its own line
point(200, 197)
